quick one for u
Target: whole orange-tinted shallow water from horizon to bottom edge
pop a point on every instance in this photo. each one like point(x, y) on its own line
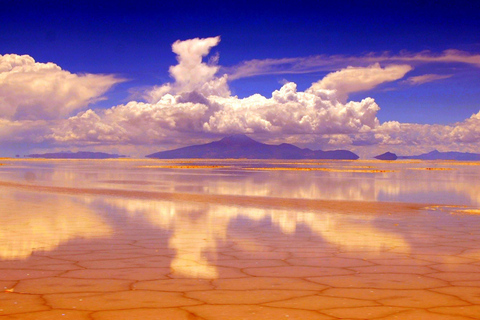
point(130, 239)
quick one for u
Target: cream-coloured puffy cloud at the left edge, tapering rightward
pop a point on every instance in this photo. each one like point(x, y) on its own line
point(31, 90)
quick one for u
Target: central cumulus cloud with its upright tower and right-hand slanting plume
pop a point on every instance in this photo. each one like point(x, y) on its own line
point(199, 102)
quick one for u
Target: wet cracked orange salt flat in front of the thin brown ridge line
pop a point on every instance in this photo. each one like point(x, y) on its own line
point(87, 256)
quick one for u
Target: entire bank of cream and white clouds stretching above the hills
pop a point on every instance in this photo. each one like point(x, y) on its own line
point(43, 103)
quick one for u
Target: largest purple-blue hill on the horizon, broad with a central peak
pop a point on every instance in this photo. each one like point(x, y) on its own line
point(240, 146)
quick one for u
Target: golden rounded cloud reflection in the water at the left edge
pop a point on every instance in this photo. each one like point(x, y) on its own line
point(35, 222)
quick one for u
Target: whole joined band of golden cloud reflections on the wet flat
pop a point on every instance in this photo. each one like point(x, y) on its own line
point(42, 222)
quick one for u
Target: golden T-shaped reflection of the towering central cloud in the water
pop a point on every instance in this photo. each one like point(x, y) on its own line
point(198, 227)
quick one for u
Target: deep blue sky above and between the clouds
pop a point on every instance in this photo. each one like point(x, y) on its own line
point(133, 39)
